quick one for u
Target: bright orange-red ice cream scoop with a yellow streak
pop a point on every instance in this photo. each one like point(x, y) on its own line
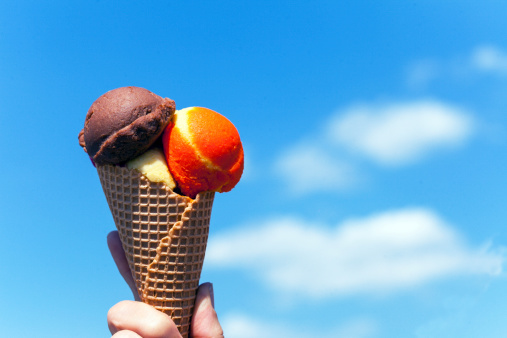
point(203, 151)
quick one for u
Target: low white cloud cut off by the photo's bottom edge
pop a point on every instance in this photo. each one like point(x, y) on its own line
point(243, 326)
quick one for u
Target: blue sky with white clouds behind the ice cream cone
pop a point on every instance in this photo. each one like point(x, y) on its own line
point(373, 199)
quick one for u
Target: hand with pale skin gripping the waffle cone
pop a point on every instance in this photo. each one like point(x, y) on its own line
point(135, 319)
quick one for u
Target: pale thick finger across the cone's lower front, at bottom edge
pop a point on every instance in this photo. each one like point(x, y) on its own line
point(141, 319)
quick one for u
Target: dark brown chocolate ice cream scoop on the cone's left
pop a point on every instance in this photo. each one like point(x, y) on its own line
point(123, 123)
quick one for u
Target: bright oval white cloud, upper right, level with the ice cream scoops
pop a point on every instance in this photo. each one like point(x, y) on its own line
point(401, 133)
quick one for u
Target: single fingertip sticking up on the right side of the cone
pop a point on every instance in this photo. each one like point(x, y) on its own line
point(205, 321)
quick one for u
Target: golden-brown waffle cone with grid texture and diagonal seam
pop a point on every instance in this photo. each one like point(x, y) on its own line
point(164, 236)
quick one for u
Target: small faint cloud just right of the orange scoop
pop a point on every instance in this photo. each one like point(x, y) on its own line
point(309, 167)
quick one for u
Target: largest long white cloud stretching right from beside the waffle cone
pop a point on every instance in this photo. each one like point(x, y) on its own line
point(381, 253)
